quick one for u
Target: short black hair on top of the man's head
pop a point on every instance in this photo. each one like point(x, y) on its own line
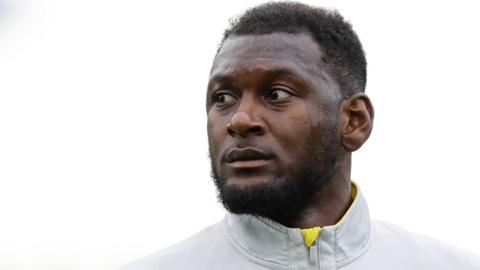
point(344, 55)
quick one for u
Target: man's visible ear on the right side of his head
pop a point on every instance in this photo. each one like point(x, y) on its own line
point(356, 121)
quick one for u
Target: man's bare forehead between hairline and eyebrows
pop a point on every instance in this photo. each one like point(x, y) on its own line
point(298, 53)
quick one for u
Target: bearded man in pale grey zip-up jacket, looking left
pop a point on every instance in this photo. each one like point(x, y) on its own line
point(286, 109)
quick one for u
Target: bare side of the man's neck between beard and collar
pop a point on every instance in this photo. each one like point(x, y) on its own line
point(331, 203)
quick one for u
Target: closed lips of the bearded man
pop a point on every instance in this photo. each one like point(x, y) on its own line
point(247, 158)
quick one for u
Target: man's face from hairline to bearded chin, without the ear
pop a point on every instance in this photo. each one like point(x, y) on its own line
point(272, 124)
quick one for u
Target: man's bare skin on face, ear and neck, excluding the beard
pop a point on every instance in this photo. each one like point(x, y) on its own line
point(268, 97)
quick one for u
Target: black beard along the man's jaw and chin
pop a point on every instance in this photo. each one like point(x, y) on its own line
point(288, 193)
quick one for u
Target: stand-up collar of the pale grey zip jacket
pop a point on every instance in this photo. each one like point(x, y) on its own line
point(264, 240)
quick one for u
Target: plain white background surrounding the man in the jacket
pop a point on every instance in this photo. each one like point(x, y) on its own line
point(103, 147)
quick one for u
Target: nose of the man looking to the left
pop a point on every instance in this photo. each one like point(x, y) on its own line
point(243, 124)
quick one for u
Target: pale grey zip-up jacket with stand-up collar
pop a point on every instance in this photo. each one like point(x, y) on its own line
point(355, 242)
